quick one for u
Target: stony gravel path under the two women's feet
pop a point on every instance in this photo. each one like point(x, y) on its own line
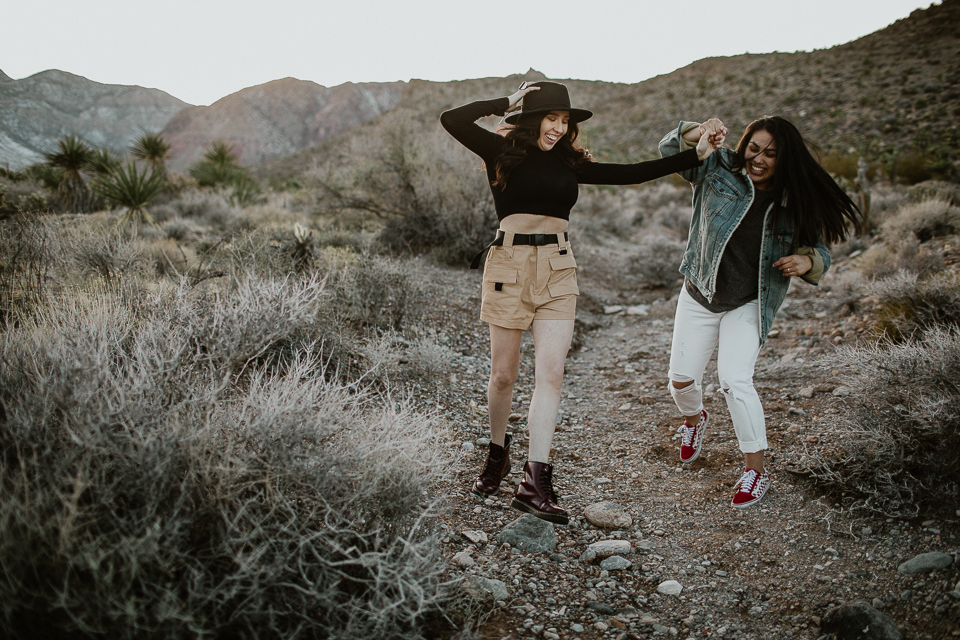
point(771, 571)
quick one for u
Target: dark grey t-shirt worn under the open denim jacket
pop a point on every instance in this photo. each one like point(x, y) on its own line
point(738, 276)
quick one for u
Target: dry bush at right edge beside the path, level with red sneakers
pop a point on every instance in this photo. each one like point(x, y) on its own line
point(895, 439)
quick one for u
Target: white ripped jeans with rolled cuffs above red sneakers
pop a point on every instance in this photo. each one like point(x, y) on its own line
point(696, 332)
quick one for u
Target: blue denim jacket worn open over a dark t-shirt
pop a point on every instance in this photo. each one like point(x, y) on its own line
point(721, 199)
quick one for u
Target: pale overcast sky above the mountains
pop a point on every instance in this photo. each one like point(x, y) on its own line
point(203, 50)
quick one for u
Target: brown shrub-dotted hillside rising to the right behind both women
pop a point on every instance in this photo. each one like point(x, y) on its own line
point(892, 91)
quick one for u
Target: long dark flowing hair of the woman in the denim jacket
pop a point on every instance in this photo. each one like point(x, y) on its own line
point(815, 204)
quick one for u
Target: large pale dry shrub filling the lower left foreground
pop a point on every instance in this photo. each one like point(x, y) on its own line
point(164, 477)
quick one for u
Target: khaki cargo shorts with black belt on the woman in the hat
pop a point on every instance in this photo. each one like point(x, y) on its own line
point(523, 283)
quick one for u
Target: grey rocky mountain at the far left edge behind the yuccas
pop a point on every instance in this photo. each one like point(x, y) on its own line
point(37, 111)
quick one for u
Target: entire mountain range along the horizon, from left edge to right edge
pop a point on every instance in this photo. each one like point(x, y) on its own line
point(895, 88)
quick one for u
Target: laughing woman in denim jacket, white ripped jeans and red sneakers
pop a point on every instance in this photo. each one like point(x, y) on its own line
point(760, 217)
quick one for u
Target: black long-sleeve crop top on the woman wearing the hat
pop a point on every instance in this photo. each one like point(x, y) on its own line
point(542, 183)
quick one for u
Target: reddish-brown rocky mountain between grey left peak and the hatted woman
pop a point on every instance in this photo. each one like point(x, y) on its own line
point(277, 118)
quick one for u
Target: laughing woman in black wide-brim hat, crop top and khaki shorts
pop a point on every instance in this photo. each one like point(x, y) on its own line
point(534, 164)
